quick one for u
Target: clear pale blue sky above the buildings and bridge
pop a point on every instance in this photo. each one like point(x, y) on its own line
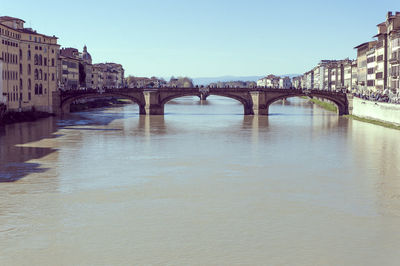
point(207, 38)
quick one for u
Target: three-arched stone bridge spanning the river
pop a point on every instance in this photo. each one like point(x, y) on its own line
point(256, 101)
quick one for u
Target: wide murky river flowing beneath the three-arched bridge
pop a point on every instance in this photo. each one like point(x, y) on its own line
point(202, 185)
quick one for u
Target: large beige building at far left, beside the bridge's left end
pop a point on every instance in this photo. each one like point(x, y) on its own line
point(29, 74)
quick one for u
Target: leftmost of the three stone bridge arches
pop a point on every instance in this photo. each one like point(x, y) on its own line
point(65, 104)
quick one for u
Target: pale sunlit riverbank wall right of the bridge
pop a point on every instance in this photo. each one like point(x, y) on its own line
point(384, 112)
